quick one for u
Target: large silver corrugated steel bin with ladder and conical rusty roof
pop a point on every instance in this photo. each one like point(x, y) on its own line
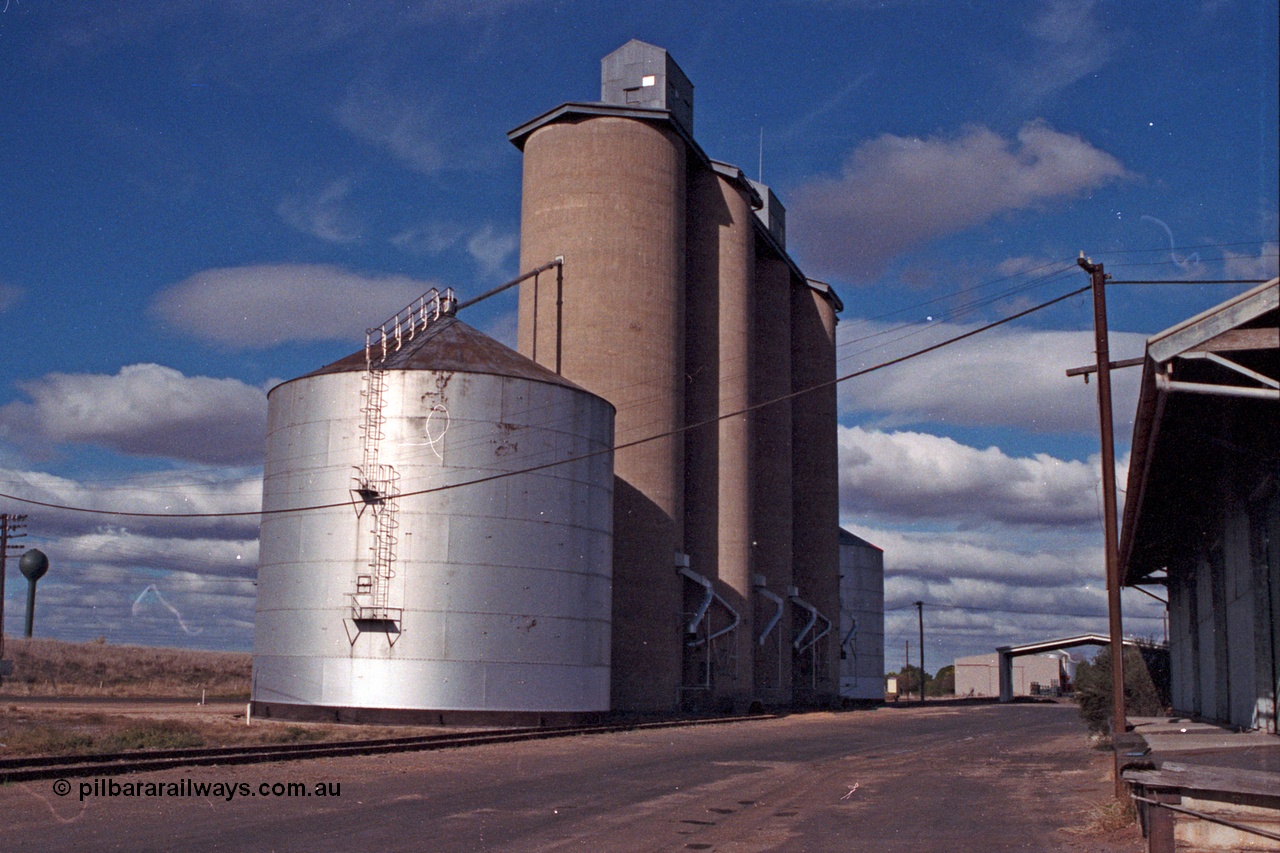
point(404, 599)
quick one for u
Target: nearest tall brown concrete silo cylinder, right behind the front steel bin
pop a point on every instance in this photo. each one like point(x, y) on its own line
point(609, 195)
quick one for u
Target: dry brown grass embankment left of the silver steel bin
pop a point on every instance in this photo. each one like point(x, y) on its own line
point(52, 668)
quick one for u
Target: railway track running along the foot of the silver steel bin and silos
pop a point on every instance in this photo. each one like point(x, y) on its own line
point(36, 768)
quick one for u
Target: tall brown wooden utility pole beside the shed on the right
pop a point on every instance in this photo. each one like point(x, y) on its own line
point(1119, 722)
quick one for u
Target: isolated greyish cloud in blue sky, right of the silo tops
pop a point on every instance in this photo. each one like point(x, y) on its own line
point(898, 193)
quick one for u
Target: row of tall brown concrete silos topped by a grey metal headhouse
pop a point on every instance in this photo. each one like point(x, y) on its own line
point(678, 303)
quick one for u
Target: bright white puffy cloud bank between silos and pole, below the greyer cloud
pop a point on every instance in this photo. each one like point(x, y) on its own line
point(916, 476)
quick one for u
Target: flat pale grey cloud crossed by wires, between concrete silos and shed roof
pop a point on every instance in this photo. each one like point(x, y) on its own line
point(1009, 377)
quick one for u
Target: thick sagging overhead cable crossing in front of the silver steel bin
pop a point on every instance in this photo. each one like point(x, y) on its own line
point(573, 459)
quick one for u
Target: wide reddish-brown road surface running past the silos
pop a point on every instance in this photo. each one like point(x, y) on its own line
point(990, 778)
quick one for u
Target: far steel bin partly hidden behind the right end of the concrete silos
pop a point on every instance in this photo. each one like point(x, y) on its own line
point(862, 619)
